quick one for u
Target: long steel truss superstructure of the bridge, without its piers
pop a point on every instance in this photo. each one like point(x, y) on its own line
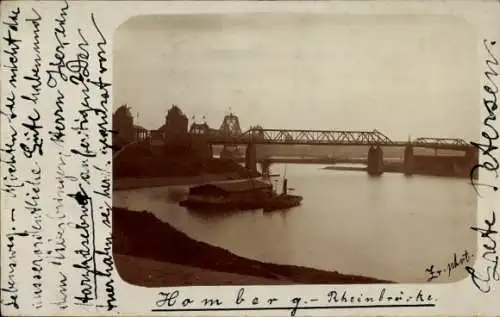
point(324, 137)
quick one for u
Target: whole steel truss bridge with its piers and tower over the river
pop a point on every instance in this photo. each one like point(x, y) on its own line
point(230, 134)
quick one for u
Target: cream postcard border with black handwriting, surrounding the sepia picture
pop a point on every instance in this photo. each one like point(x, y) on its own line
point(449, 299)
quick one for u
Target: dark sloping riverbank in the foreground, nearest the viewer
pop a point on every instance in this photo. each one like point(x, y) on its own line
point(142, 235)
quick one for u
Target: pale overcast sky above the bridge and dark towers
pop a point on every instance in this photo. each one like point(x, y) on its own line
point(401, 75)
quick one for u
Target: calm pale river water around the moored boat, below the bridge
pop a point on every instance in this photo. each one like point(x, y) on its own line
point(392, 227)
